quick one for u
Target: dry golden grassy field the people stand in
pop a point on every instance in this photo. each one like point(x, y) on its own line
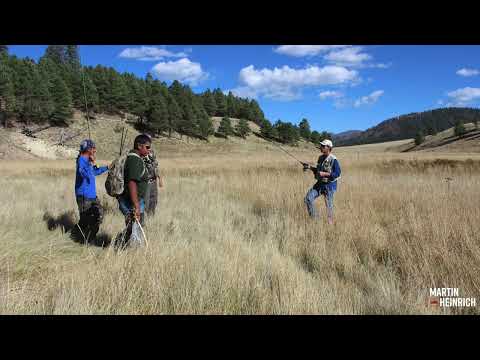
point(232, 236)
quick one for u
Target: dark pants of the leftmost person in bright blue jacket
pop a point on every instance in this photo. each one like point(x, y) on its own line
point(91, 216)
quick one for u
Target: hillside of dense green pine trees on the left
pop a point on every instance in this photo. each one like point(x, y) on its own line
point(50, 90)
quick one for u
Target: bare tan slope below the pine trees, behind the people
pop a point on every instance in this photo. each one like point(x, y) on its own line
point(106, 131)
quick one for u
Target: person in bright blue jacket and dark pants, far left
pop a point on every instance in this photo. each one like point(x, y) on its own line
point(91, 212)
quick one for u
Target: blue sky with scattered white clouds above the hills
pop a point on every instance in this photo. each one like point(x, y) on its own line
point(336, 87)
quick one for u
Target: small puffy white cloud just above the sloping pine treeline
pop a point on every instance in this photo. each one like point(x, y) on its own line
point(182, 70)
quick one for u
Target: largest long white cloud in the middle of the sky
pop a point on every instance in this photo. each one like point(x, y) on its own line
point(285, 83)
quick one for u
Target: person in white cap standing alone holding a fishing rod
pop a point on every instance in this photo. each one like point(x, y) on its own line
point(327, 172)
